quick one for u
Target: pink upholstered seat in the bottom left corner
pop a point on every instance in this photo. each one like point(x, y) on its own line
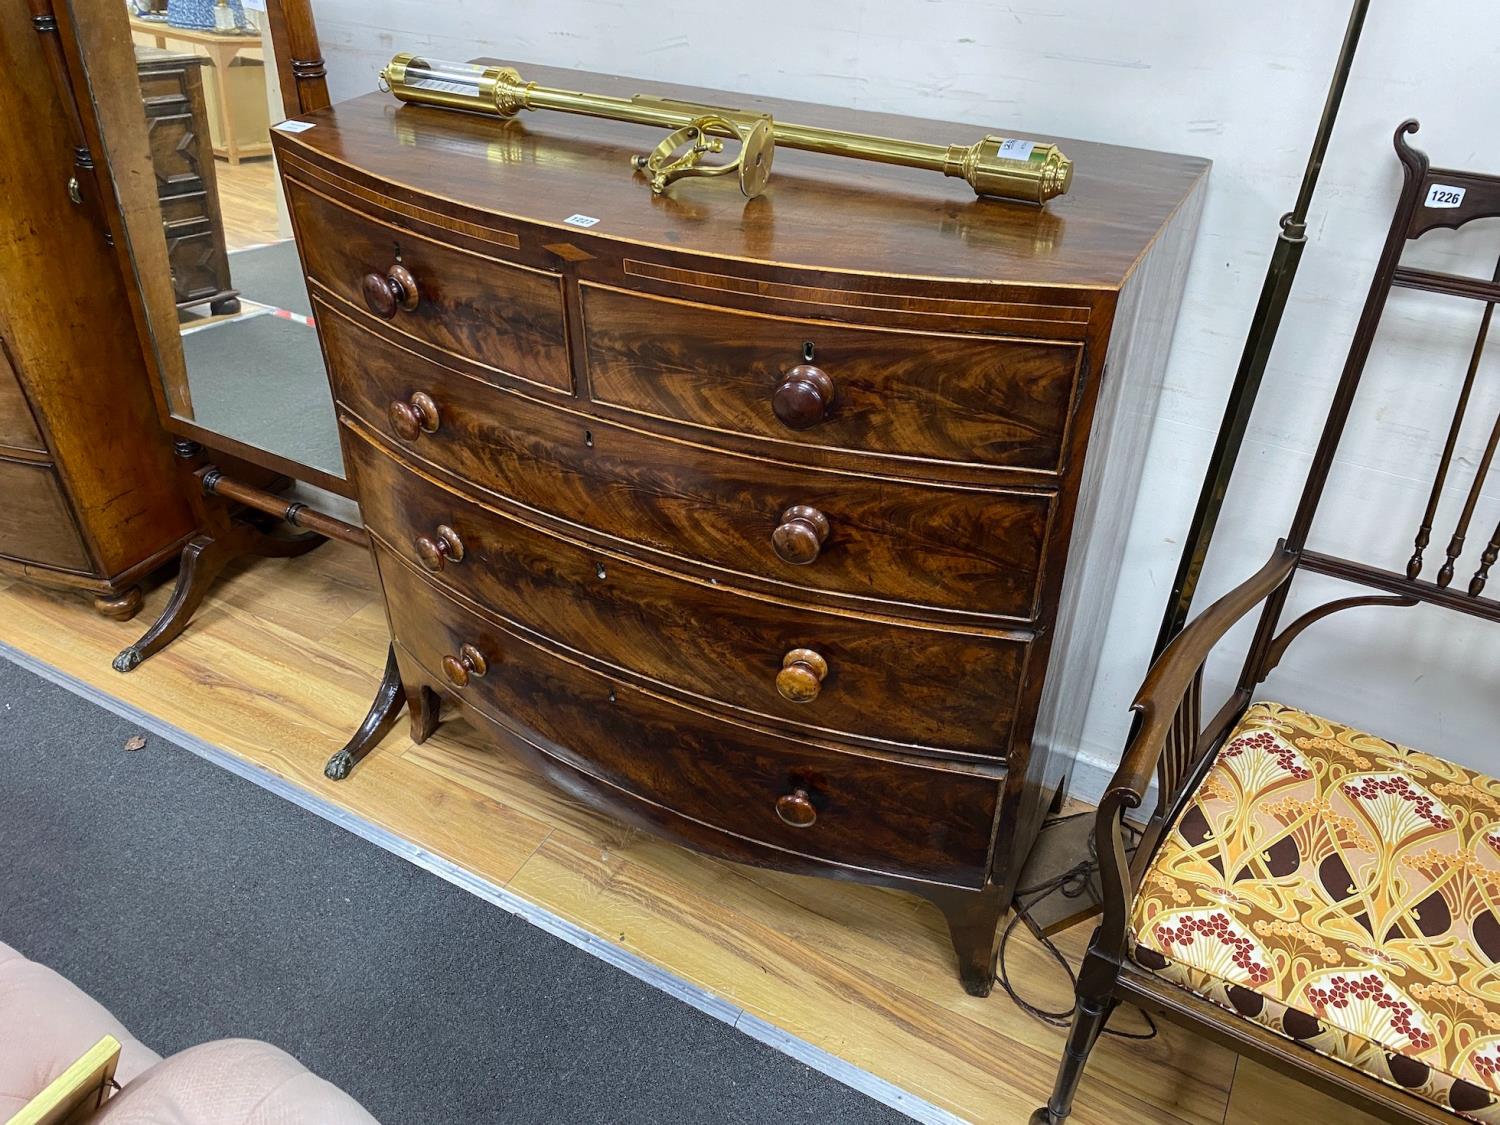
point(47, 1022)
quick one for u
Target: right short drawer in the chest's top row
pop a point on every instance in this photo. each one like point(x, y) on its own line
point(970, 400)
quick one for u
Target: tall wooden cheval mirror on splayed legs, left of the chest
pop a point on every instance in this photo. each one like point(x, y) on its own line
point(179, 98)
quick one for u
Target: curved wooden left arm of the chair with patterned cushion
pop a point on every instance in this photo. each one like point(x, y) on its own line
point(1169, 742)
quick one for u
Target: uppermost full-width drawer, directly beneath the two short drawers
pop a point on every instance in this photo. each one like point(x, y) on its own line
point(970, 550)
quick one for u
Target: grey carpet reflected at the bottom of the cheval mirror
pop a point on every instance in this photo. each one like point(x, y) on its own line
point(262, 380)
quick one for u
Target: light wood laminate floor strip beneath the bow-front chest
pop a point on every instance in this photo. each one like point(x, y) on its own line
point(281, 665)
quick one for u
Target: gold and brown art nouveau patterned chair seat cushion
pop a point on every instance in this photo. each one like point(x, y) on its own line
point(1343, 892)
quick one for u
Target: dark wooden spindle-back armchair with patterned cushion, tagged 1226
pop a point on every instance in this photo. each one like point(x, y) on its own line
point(1304, 893)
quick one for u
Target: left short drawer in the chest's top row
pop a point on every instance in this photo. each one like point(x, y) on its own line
point(493, 313)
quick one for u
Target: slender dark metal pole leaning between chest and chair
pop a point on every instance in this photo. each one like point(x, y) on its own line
point(1258, 352)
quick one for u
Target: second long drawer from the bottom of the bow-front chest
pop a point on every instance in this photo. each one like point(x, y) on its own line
point(943, 689)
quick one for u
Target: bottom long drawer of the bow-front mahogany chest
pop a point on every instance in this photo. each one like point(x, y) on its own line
point(923, 821)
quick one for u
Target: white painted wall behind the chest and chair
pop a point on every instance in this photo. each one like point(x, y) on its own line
point(1238, 83)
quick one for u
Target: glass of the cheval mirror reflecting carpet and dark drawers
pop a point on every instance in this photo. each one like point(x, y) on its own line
point(209, 232)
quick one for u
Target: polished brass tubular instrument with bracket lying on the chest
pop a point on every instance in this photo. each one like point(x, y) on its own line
point(1000, 167)
